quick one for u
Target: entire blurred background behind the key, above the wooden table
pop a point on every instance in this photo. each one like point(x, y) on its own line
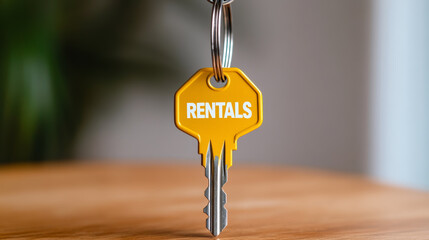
point(345, 82)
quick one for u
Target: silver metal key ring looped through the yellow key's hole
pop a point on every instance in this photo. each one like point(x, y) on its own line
point(218, 5)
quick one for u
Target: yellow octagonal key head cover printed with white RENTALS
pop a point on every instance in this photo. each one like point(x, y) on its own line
point(218, 116)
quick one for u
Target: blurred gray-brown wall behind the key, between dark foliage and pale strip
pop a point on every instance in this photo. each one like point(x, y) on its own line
point(309, 59)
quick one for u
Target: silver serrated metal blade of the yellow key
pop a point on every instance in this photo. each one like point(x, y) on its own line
point(217, 175)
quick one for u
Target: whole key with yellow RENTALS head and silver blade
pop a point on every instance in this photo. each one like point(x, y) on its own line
point(217, 117)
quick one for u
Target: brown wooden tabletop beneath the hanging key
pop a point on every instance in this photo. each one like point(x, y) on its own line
point(81, 201)
